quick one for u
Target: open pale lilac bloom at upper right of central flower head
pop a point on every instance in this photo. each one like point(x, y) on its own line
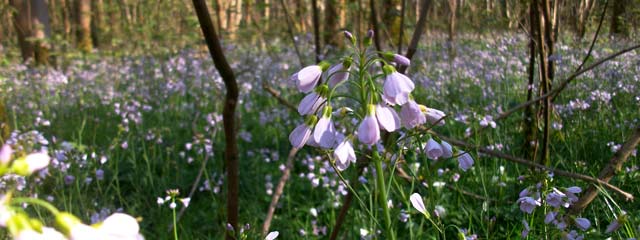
point(396, 87)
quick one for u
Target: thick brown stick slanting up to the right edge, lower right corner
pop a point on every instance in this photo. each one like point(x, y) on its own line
point(610, 170)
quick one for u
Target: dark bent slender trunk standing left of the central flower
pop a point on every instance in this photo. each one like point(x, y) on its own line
point(228, 114)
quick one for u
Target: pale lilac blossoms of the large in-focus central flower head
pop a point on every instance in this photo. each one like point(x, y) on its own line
point(318, 130)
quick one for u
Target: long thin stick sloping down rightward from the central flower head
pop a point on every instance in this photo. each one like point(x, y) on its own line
point(523, 161)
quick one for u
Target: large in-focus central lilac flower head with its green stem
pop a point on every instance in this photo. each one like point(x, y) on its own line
point(354, 79)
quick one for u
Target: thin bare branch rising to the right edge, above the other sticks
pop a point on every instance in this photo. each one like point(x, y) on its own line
point(554, 92)
